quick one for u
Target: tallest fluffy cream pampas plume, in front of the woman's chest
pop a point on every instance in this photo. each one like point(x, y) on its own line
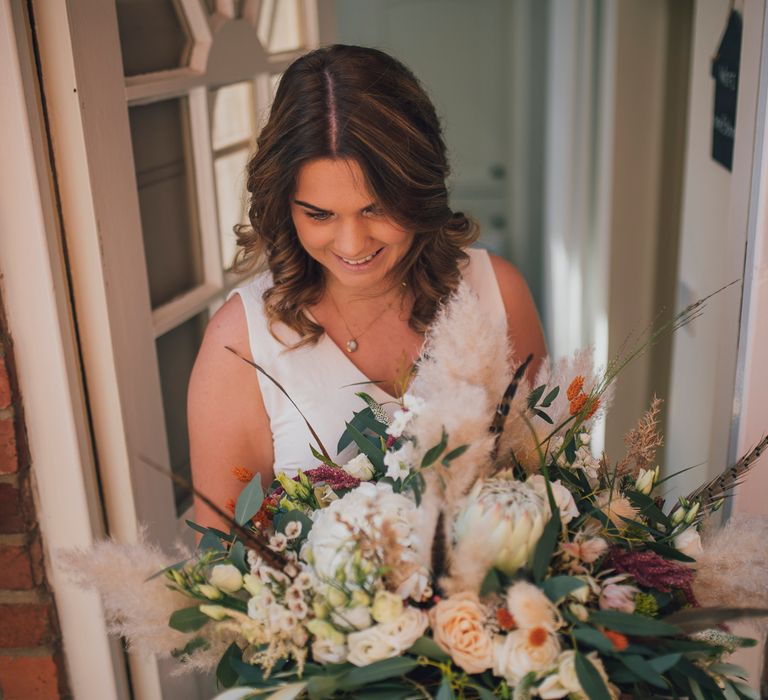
point(463, 344)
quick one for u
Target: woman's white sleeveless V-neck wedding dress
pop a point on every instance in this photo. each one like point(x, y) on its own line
point(321, 378)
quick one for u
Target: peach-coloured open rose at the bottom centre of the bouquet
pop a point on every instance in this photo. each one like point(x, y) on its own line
point(458, 625)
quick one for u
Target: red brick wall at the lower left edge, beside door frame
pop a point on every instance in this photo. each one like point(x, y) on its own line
point(31, 659)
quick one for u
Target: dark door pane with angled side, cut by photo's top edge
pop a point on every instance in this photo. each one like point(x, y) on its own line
point(152, 36)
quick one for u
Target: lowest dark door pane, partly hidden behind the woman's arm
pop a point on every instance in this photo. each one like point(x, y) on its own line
point(176, 352)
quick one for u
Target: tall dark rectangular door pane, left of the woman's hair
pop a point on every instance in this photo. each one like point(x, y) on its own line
point(165, 182)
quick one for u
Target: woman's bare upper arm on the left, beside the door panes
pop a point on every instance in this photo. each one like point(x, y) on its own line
point(228, 424)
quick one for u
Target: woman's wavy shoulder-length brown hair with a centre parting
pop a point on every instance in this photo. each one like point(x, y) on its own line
point(358, 103)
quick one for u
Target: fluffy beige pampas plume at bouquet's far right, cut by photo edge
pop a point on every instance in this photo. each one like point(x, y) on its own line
point(733, 569)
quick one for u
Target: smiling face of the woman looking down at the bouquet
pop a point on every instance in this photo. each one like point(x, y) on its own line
point(340, 225)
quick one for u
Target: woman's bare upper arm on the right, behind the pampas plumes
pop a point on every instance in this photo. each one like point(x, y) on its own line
point(524, 326)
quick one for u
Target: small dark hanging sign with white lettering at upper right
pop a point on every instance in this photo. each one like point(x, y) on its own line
point(725, 71)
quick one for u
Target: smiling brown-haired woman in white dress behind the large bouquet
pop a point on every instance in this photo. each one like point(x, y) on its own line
point(355, 247)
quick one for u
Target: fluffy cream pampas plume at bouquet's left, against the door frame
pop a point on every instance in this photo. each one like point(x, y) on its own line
point(135, 608)
